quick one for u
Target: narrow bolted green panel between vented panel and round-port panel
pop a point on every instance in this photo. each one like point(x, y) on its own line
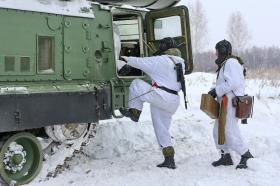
point(77, 37)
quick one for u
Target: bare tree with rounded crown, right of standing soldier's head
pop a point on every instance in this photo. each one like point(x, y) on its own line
point(238, 32)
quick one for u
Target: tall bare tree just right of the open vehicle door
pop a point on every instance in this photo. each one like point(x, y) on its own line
point(198, 27)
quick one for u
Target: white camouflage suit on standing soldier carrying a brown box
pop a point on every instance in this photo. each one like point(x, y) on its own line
point(230, 79)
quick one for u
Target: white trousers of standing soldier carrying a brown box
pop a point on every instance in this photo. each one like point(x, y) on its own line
point(233, 138)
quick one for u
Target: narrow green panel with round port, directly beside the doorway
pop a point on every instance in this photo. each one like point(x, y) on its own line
point(103, 64)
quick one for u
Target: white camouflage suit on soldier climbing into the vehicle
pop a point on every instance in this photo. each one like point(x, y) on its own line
point(162, 104)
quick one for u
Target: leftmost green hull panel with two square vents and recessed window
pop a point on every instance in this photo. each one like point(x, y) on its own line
point(19, 34)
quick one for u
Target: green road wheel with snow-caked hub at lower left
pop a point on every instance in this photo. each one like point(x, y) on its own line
point(21, 159)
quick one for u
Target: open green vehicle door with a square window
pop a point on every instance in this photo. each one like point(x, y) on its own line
point(170, 22)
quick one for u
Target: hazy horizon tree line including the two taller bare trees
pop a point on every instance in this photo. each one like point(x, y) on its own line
point(254, 57)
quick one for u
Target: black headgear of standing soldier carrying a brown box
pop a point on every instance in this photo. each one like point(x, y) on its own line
point(224, 50)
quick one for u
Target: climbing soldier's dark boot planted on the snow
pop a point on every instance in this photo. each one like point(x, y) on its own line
point(168, 153)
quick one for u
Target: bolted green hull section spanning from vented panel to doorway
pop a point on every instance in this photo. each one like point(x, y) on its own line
point(89, 47)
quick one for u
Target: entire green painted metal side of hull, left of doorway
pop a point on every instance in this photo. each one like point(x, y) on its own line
point(80, 48)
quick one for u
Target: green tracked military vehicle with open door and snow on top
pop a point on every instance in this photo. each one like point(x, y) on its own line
point(58, 72)
